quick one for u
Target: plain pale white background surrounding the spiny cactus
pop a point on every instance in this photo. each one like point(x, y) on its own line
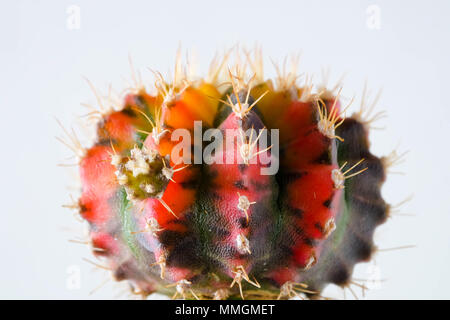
point(42, 64)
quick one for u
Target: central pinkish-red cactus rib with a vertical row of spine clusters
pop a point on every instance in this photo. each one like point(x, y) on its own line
point(239, 188)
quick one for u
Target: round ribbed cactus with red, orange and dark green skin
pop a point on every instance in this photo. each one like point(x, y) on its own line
point(225, 231)
